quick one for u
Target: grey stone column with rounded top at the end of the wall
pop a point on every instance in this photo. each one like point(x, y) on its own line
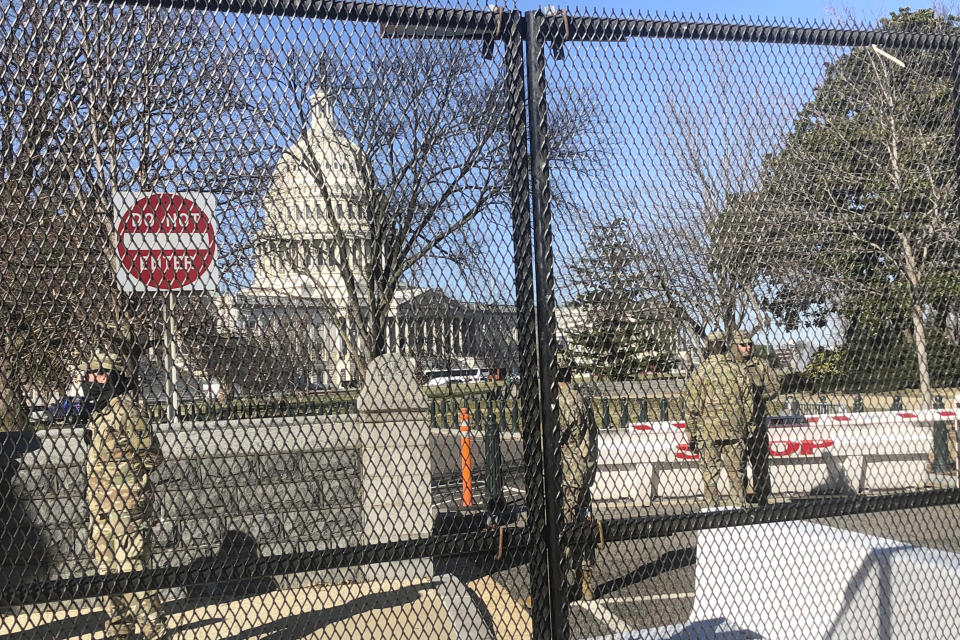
point(396, 463)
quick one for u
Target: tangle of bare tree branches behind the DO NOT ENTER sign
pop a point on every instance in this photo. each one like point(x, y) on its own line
point(99, 99)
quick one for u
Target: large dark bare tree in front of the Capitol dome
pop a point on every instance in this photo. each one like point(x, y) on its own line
point(420, 127)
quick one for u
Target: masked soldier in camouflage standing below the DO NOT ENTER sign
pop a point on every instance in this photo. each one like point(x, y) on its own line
point(121, 453)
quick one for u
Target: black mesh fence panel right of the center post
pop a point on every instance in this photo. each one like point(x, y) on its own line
point(741, 227)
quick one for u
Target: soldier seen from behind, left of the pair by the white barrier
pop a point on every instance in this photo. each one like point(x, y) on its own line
point(715, 400)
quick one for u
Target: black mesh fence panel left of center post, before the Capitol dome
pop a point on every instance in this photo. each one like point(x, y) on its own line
point(235, 246)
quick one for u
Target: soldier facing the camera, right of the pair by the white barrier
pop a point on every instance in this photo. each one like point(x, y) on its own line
point(764, 388)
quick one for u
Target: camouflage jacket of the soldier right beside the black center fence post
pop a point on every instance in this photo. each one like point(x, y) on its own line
point(578, 438)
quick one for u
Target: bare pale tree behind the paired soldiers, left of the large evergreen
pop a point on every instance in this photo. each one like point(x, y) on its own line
point(706, 143)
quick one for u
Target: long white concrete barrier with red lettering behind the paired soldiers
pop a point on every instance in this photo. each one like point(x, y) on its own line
point(818, 454)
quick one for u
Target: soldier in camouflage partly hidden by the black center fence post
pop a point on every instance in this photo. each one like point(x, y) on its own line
point(578, 466)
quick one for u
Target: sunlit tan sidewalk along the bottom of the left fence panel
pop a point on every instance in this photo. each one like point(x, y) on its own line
point(443, 609)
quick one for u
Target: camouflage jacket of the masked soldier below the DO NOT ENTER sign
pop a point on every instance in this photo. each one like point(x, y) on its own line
point(122, 452)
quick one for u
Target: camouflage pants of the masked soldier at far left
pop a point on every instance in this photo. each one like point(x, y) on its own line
point(120, 542)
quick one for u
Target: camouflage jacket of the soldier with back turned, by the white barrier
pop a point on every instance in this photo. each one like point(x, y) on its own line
point(717, 400)
